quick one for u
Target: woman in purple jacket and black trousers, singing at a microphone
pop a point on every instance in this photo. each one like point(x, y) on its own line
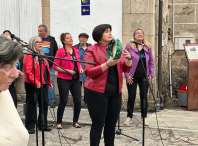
point(137, 73)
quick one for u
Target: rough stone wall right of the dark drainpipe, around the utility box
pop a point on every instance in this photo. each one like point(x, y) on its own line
point(186, 20)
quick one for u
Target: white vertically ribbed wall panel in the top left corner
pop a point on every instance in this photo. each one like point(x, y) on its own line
point(21, 17)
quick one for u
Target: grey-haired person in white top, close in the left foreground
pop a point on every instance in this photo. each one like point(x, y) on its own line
point(12, 129)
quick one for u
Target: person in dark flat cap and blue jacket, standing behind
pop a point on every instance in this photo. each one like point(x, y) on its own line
point(83, 38)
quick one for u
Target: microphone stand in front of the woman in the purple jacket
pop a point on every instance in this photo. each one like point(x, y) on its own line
point(146, 82)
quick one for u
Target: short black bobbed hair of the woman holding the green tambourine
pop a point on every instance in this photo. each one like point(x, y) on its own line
point(99, 30)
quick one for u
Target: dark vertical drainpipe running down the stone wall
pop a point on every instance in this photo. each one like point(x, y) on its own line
point(160, 55)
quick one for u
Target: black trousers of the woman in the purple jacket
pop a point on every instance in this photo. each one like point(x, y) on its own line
point(143, 86)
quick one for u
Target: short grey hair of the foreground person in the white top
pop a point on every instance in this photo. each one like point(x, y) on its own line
point(10, 51)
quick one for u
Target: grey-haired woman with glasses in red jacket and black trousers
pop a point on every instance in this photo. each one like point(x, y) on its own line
point(30, 117)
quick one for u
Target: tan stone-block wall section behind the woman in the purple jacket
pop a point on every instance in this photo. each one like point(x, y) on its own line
point(139, 14)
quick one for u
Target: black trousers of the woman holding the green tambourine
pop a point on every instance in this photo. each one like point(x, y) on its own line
point(104, 112)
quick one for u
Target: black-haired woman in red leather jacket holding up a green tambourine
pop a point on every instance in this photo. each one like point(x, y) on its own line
point(103, 85)
